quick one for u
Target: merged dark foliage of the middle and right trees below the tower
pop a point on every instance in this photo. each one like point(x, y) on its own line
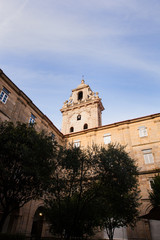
point(91, 188)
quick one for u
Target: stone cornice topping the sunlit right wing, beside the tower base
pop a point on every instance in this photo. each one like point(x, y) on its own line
point(116, 124)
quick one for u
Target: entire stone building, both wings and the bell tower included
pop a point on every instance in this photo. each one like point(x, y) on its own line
point(81, 126)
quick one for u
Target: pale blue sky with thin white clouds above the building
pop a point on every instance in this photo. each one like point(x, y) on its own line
point(46, 46)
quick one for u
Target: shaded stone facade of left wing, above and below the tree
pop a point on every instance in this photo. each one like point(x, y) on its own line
point(16, 106)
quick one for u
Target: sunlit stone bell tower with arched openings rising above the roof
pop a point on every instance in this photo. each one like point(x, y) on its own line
point(82, 111)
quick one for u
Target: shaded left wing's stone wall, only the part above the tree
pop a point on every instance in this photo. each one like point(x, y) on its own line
point(19, 108)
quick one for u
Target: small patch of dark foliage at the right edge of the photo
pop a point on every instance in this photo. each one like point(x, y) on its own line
point(154, 195)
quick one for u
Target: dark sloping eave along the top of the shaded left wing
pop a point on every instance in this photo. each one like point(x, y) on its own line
point(29, 101)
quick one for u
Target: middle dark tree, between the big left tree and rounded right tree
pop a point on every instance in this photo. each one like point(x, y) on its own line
point(71, 206)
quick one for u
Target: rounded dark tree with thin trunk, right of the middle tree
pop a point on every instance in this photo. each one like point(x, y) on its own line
point(119, 195)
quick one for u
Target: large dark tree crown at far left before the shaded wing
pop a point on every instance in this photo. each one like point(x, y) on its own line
point(25, 166)
